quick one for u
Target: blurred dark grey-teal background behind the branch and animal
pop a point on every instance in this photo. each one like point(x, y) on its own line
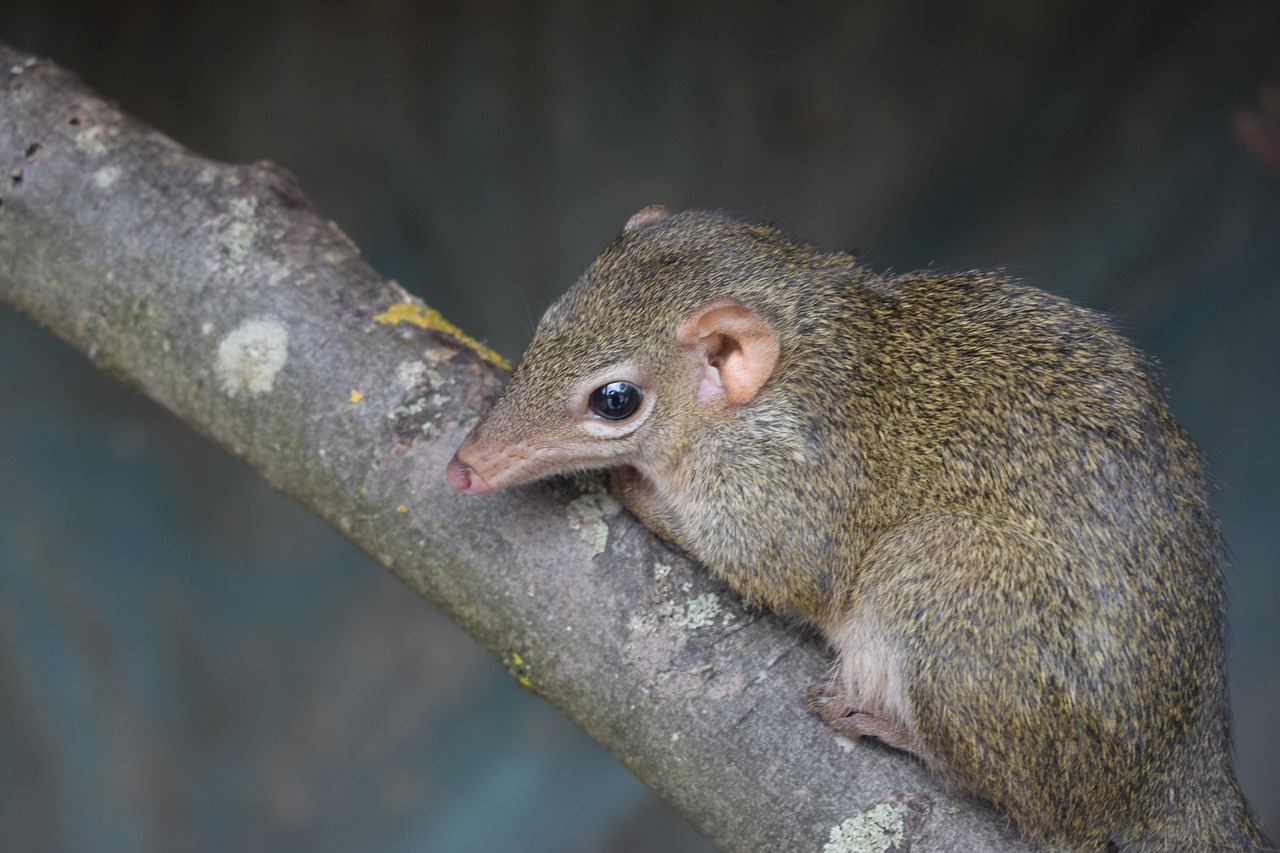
point(190, 663)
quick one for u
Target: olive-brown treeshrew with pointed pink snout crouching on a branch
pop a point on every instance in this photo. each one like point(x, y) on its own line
point(973, 489)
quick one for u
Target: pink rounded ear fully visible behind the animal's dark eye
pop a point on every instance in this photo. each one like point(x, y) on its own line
point(734, 350)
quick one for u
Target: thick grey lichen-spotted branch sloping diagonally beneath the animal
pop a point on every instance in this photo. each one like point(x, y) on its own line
point(221, 291)
